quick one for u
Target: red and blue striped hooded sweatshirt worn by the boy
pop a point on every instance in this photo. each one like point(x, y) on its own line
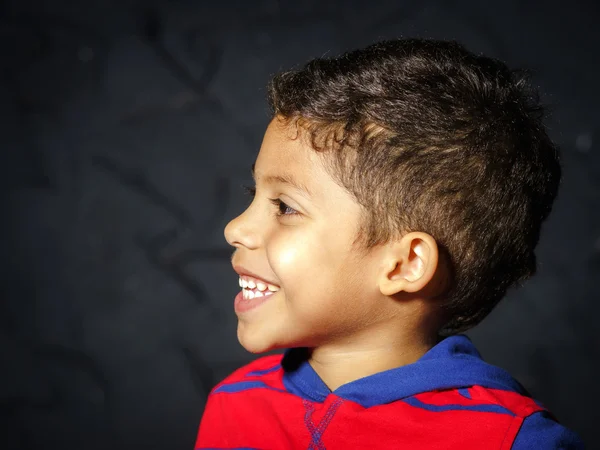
point(448, 399)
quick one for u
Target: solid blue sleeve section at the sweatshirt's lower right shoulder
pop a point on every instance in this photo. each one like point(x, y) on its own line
point(541, 431)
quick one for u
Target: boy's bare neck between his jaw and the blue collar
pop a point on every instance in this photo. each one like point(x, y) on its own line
point(337, 365)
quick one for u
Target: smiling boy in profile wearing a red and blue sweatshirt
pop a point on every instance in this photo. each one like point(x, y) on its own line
point(400, 191)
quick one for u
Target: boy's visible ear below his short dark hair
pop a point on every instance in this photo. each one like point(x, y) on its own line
point(409, 264)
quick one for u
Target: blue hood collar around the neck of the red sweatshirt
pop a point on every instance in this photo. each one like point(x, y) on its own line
point(453, 363)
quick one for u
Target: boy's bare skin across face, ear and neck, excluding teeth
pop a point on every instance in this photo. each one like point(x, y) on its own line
point(359, 311)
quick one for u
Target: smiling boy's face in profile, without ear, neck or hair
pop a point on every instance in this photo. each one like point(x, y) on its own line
point(327, 290)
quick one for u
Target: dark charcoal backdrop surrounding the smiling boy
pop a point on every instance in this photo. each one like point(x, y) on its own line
point(127, 129)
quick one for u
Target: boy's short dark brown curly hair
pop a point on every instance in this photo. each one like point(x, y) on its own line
point(430, 137)
